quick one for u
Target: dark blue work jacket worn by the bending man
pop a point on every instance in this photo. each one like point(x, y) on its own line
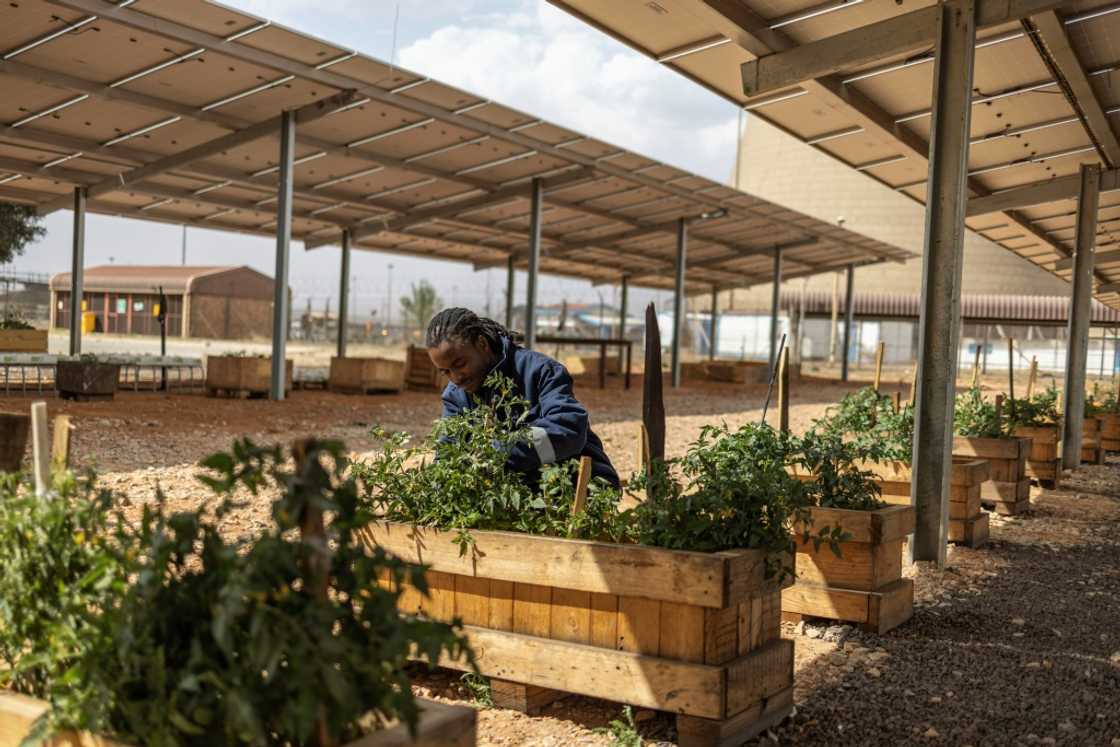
point(561, 425)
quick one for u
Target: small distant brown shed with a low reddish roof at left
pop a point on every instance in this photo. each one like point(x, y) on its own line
point(219, 303)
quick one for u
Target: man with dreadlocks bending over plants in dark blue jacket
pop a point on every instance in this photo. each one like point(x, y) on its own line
point(468, 349)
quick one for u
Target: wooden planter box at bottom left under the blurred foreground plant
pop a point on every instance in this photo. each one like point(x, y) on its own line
point(440, 726)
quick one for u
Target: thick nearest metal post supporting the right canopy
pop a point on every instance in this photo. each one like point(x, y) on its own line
point(940, 316)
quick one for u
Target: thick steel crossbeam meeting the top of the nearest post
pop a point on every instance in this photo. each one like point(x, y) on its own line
point(899, 35)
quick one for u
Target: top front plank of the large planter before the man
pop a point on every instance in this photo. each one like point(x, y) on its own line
point(694, 578)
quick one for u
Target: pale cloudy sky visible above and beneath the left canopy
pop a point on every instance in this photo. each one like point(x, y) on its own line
point(524, 53)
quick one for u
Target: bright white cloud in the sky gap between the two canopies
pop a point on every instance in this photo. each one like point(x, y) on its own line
point(544, 62)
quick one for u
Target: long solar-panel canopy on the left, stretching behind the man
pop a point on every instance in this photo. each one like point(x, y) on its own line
point(170, 111)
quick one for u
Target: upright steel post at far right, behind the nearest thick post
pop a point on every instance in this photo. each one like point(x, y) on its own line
point(1080, 311)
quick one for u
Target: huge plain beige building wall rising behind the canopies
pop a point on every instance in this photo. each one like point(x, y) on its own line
point(780, 169)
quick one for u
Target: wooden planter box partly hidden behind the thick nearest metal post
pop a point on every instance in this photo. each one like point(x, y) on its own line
point(968, 525)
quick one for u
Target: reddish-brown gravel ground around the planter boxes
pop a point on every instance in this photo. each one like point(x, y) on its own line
point(1013, 645)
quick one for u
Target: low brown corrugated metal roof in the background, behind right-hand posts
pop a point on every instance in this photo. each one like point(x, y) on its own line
point(1034, 310)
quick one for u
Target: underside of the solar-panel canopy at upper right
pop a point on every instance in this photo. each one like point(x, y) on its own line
point(853, 79)
